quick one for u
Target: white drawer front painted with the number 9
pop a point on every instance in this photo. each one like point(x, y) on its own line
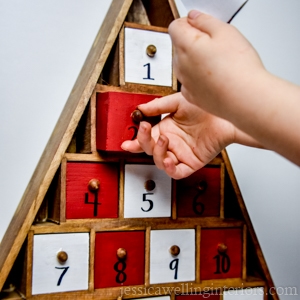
point(160, 257)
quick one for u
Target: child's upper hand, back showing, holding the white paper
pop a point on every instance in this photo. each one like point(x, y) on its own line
point(214, 62)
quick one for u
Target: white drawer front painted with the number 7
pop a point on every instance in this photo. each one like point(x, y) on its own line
point(45, 272)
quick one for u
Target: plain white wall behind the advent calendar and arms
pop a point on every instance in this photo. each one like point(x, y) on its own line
point(43, 45)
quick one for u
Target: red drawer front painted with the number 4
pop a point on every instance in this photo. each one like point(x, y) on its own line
point(79, 175)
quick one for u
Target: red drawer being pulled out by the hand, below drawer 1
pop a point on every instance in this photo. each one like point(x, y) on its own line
point(114, 123)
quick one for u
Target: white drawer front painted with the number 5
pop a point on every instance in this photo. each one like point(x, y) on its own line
point(134, 189)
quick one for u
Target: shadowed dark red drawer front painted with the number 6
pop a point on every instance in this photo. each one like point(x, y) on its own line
point(199, 194)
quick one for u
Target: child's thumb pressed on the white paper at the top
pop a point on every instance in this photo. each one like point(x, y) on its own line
point(204, 22)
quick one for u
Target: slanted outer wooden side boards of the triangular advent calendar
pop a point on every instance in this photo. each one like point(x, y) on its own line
point(63, 133)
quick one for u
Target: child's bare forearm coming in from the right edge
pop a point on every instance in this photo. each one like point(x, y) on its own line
point(269, 111)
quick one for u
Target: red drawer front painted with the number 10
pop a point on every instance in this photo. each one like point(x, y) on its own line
point(214, 265)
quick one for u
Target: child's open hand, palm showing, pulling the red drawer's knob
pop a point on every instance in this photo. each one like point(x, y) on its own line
point(184, 141)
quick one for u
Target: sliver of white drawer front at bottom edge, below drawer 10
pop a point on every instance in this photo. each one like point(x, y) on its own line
point(244, 294)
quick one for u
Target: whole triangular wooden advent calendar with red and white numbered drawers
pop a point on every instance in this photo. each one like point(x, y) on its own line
point(98, 223)
